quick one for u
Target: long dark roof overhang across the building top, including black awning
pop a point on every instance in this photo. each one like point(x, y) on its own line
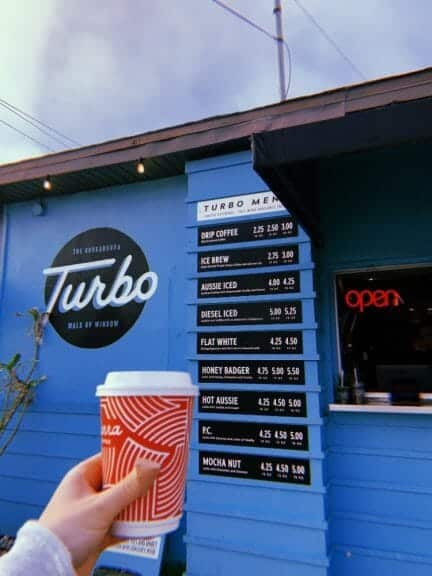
point(313, 126)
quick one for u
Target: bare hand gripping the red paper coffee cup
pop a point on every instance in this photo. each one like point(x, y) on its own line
point(81, 514)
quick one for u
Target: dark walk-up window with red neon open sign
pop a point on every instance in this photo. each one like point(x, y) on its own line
point(385, 335)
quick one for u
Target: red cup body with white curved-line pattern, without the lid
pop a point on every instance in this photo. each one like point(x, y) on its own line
point(157, 429)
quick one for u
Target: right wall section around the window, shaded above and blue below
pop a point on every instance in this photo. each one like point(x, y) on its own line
point(376, 209)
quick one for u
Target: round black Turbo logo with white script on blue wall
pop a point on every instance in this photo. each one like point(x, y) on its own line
point(97, 287)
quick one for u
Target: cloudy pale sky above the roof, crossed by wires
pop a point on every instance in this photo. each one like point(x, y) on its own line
point(103, 69)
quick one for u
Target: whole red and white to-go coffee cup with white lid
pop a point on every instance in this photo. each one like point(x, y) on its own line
point(147, 415)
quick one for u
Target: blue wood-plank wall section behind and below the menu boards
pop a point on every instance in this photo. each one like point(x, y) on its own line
point(246, 526)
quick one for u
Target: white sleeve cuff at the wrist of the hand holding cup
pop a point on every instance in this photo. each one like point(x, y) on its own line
point(36, 552)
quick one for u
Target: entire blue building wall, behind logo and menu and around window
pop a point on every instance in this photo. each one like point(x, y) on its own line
point(375, 210)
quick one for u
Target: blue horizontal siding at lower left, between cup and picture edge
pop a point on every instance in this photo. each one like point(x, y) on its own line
point(47, 445)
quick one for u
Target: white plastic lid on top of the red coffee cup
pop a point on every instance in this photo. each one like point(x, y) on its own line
point(147, 383)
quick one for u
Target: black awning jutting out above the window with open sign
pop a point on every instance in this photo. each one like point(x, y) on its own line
point(286, 159)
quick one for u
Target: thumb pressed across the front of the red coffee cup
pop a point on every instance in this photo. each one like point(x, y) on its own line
point(134, 485)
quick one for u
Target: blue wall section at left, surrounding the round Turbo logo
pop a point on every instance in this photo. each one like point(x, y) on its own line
point(62, 425)
